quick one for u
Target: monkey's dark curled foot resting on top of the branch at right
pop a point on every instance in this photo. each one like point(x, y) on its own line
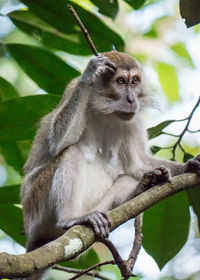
point(157, 176)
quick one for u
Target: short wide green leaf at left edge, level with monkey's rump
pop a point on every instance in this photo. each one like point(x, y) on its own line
point(10, 194)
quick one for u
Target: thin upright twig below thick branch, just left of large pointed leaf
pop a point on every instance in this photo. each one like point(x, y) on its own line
point(137, 244)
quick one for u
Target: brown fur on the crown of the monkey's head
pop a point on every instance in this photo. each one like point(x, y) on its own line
point(122, 60)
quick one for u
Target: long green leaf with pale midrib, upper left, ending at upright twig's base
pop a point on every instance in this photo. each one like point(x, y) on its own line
point(74, 43)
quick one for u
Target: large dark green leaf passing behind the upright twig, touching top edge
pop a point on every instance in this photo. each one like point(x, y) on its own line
point(56, 14)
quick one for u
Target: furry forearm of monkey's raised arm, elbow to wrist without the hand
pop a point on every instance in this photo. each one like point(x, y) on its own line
point(68, 119)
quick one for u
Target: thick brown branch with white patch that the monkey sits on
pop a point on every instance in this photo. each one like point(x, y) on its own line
point(79, 238)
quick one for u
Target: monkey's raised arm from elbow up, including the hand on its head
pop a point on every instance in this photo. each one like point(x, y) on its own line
point(68, 121)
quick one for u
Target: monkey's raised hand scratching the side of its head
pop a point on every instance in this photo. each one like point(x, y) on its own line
point(97, 68)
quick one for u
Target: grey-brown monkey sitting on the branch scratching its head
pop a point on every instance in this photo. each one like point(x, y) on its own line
point(91, 153)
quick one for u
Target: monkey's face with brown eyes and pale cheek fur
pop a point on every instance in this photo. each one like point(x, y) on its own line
point(119, 93)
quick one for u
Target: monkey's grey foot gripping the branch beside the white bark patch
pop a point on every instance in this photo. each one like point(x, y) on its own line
point(97, 220)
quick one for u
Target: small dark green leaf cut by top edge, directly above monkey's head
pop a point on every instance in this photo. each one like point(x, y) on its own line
point(107, 8)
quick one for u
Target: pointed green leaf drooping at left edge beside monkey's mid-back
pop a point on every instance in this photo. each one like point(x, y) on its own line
point(12, 155)
